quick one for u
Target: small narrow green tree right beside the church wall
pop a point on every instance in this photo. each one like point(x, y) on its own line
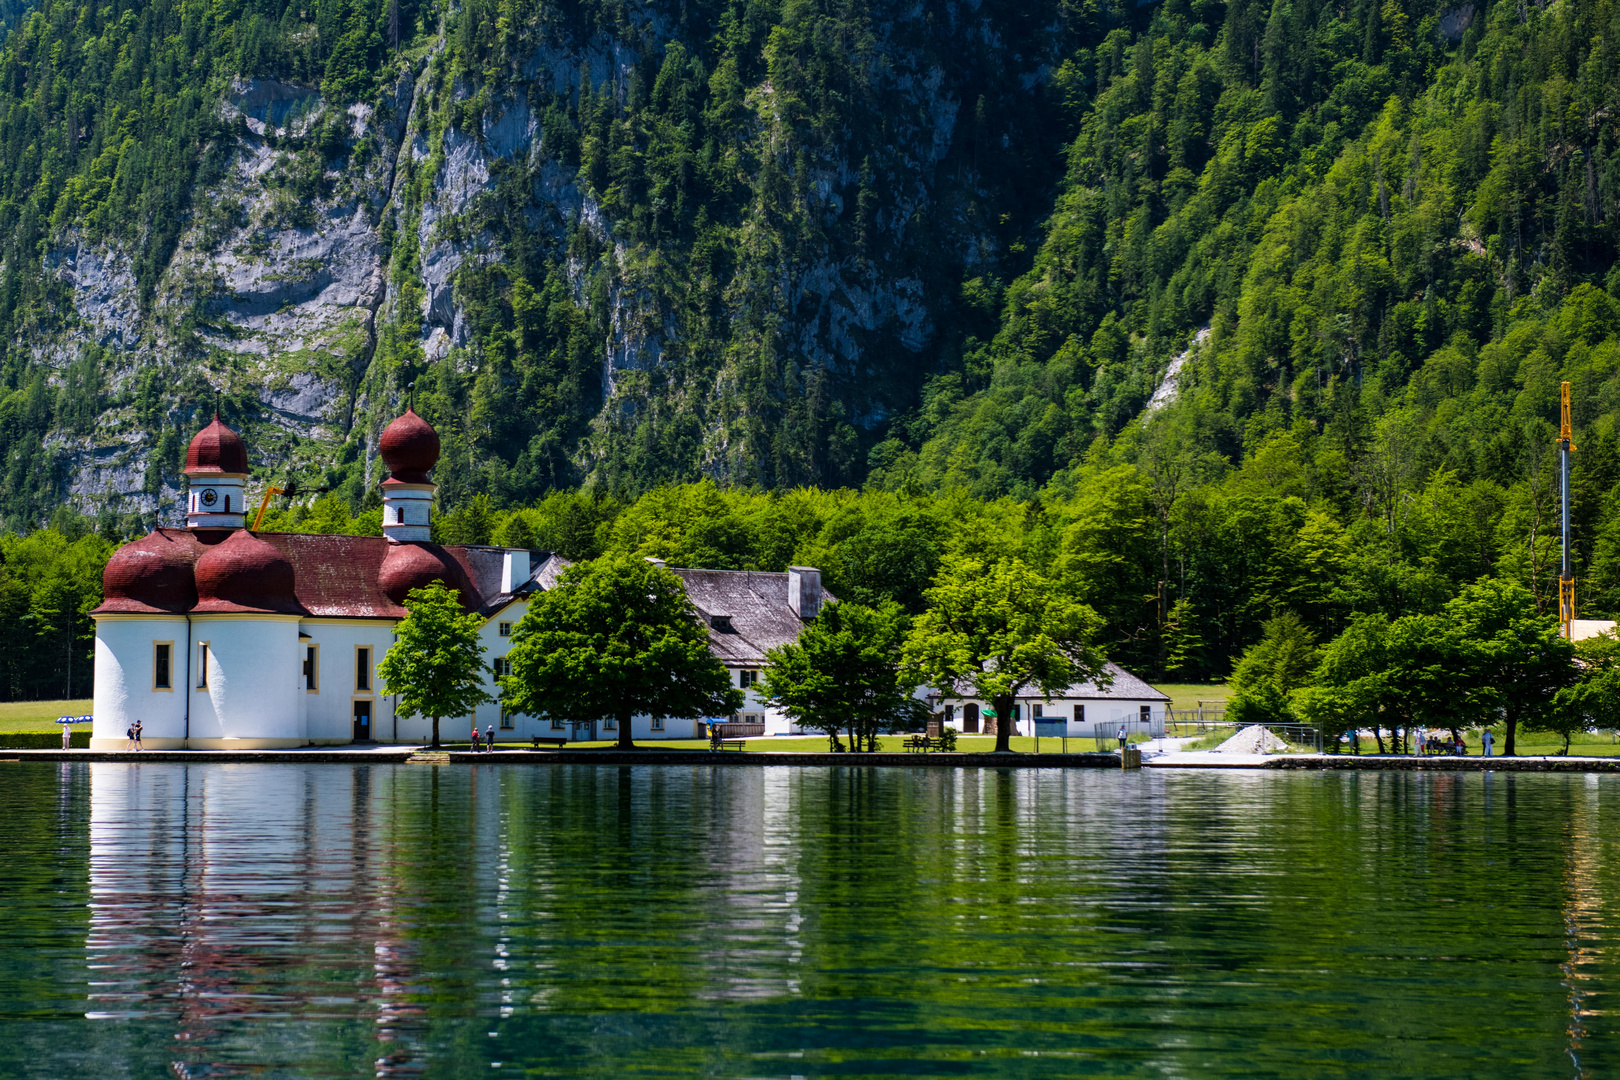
point(437, 665)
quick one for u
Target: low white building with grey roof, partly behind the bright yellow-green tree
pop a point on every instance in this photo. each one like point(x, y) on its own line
point(1085, 708)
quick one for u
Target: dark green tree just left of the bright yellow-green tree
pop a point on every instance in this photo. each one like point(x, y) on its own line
point(843, 673)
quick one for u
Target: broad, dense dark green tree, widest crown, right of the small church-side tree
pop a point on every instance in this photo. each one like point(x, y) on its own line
point(616, 639)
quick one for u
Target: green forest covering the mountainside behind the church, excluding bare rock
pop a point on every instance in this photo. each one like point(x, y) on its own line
point(1375, 236)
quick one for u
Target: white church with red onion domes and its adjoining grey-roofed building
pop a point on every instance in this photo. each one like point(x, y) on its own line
point(221, 639)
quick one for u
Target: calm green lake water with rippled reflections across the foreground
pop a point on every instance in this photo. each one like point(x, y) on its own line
point(772, 922)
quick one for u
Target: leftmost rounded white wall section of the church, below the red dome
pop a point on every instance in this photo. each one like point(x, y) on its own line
point(126, 682)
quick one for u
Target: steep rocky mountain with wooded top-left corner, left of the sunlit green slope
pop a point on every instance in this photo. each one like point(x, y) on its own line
point(607, 244)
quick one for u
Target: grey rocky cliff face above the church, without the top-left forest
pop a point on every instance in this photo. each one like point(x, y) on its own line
point(603, 257)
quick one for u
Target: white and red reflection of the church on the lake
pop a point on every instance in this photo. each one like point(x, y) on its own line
point(229, 899)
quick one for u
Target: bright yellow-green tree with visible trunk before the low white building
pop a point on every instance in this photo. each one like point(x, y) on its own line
point(999, 629)
